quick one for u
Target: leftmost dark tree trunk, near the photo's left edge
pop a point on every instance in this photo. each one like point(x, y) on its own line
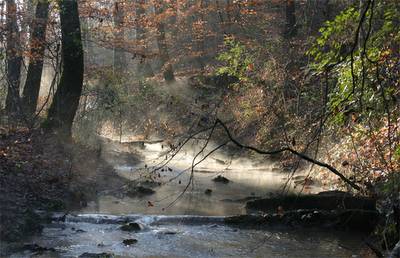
point(14, 60)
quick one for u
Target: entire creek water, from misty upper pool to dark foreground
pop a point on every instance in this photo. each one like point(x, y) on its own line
point(190, 224)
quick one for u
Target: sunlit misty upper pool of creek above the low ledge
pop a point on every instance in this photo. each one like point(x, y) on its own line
point(246, 181)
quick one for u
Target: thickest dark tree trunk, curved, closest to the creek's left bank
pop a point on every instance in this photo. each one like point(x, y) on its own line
point(66, 100)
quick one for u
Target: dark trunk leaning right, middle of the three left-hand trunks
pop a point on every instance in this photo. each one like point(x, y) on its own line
point(35, 68)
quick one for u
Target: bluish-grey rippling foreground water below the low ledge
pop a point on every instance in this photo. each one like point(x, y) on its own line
point(185, 236)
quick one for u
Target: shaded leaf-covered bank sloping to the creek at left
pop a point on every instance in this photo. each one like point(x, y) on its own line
point(39, 174)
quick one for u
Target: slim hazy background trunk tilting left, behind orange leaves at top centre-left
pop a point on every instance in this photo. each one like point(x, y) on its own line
point(168, 71)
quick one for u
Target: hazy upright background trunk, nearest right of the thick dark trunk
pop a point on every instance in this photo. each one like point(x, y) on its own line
point(119, 61)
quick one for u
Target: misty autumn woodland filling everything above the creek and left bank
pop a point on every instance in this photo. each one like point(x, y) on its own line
point(307, 81)
